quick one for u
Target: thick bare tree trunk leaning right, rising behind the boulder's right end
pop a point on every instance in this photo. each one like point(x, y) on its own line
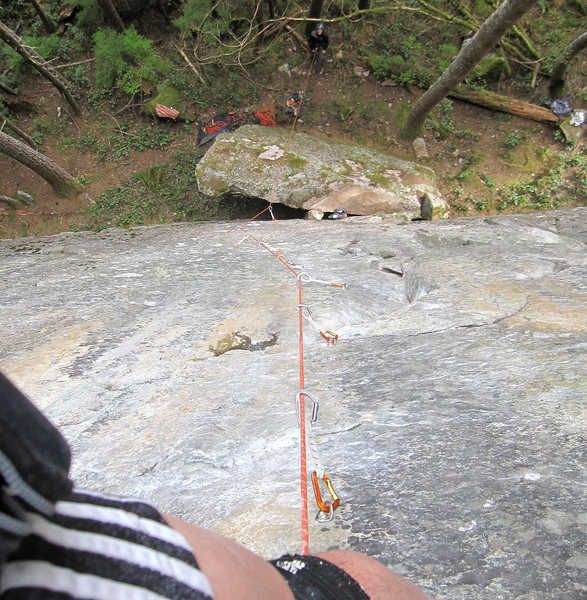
point(481, 43)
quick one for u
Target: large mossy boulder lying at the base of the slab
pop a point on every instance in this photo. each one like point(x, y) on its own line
point(315, 175)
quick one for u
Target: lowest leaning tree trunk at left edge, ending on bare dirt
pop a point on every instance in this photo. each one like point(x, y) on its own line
point(60, 180)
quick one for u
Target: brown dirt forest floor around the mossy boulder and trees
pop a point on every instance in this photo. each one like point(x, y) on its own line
point(368, 114)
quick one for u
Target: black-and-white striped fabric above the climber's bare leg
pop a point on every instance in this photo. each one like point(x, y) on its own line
point(102, 548)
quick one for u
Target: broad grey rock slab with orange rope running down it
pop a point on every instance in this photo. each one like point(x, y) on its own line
point(452, 412)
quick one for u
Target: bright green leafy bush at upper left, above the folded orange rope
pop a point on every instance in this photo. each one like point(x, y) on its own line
point(125, 60)
